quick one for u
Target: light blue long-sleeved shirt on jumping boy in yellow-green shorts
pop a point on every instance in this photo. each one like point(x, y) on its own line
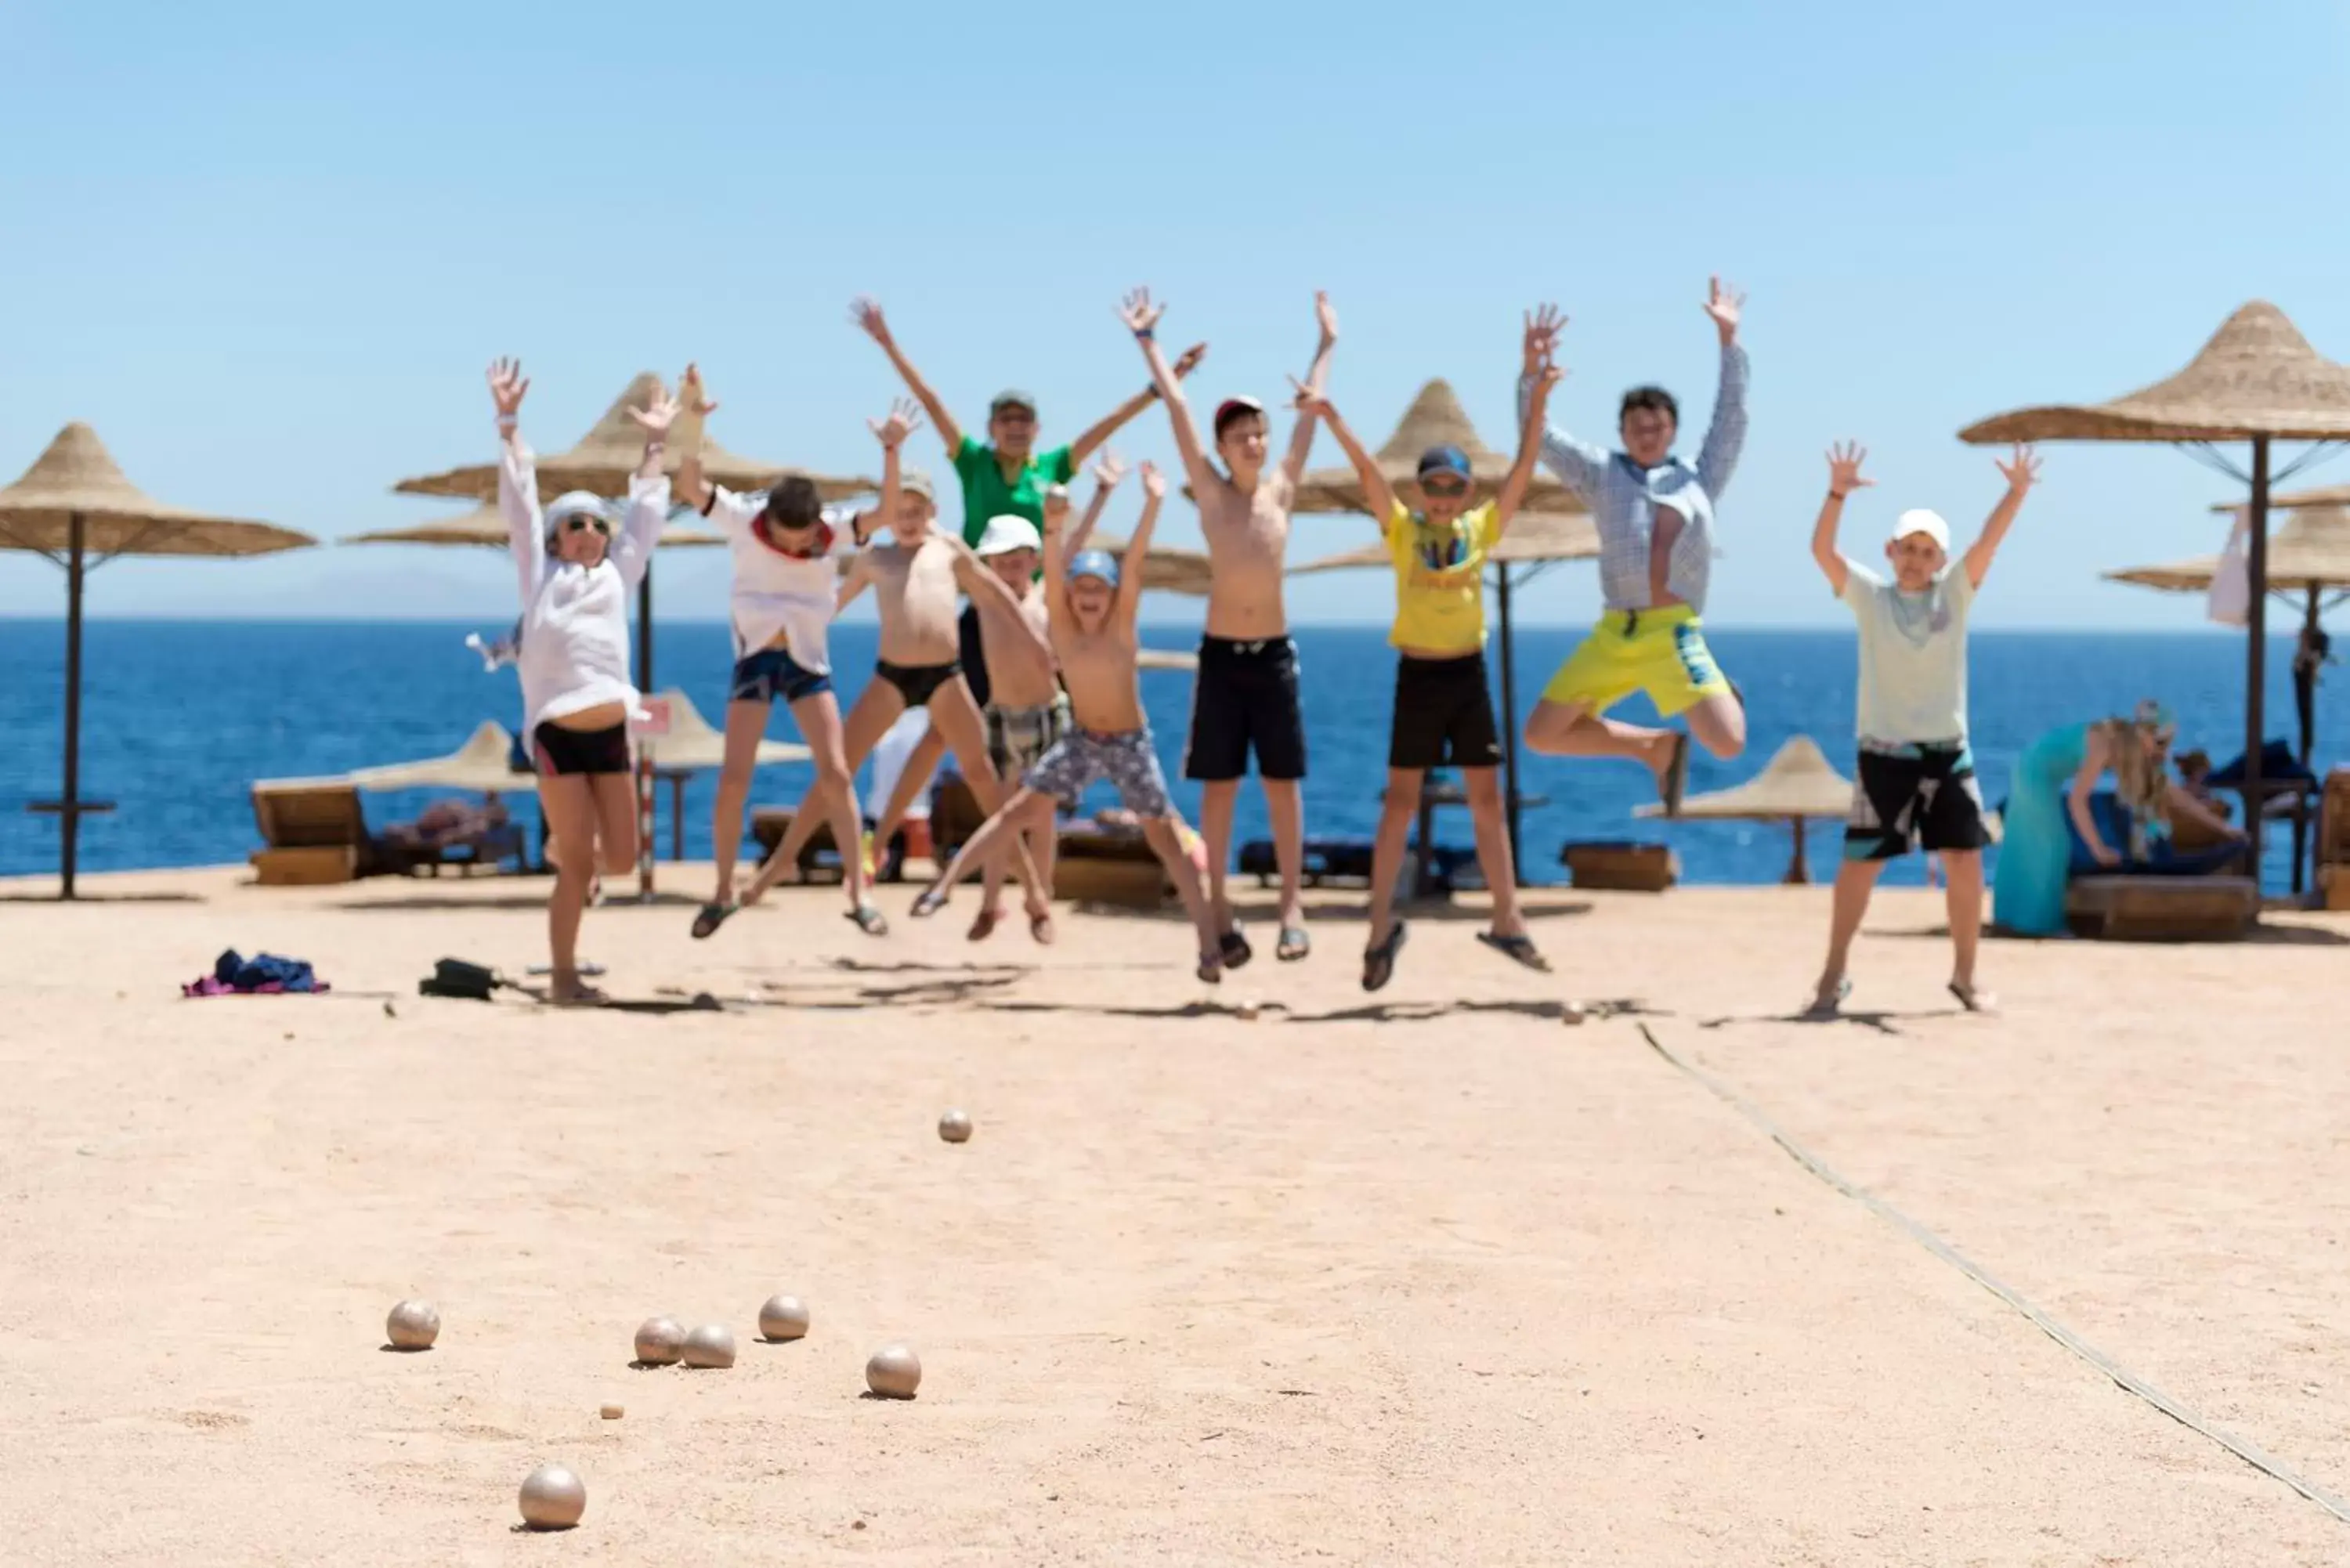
point(1623, 497)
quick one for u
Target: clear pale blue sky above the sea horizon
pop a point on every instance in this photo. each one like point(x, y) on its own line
point(267, 248)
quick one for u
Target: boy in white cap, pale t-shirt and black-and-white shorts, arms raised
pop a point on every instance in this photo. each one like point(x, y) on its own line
point(1916, 772)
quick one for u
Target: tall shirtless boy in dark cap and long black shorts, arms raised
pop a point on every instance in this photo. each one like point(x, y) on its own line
point(1247, 690)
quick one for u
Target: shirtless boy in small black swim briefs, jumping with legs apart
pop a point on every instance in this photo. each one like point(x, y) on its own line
point(915, 582)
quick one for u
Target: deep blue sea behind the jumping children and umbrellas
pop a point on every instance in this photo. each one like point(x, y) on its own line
point(180, 718)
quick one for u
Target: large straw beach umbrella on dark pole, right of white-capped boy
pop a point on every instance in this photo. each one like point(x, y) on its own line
point(2255, 382)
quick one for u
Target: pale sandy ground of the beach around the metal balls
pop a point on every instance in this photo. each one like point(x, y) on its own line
point(1425, 1282)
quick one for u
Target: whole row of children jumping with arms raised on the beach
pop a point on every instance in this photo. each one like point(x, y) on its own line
point(1019, 641)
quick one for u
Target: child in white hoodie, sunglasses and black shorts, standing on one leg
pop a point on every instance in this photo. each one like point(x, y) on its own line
point(579, 563)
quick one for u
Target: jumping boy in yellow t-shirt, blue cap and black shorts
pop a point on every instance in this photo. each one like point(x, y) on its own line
point(1444, 709)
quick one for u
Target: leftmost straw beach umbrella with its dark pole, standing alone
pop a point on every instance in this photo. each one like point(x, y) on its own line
point(79, 509)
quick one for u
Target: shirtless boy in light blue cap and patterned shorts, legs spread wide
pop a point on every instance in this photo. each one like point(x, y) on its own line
point(1092, 603)
